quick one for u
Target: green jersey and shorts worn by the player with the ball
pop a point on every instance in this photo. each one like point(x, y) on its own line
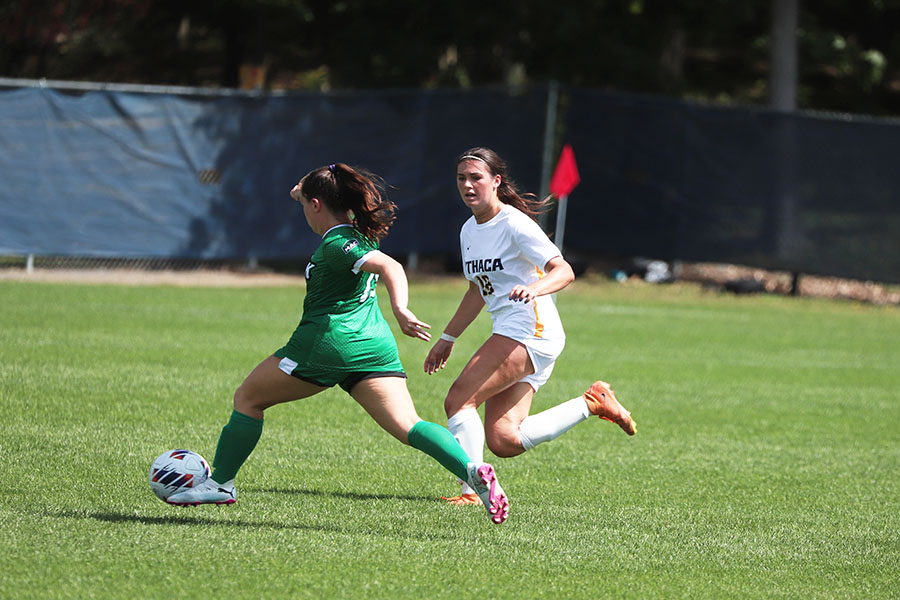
point(342, 333)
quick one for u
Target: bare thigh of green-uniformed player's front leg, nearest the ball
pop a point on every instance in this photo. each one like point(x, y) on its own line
point(267, 385)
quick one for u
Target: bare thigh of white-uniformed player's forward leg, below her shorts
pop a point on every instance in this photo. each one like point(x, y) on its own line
point(498, 364)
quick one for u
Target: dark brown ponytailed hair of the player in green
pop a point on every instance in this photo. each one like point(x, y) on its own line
point(348, 189)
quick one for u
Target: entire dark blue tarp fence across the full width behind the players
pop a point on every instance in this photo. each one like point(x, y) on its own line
point(187, 173)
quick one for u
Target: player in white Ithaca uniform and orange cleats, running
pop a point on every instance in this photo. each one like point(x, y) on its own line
point(512, 268)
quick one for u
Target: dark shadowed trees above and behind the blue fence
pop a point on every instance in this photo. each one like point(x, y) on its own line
point(718, 50)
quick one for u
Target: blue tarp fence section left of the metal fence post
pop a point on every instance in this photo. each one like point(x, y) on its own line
point(115, 174)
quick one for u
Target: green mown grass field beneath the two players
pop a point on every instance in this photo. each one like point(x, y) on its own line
point(767, 462)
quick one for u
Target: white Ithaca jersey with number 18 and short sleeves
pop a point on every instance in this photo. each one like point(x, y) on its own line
point(509, 250)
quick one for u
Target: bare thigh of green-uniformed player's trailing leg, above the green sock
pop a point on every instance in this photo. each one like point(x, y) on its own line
point(388, 402)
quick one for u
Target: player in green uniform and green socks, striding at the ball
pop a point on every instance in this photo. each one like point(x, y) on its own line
point(343, 339)
